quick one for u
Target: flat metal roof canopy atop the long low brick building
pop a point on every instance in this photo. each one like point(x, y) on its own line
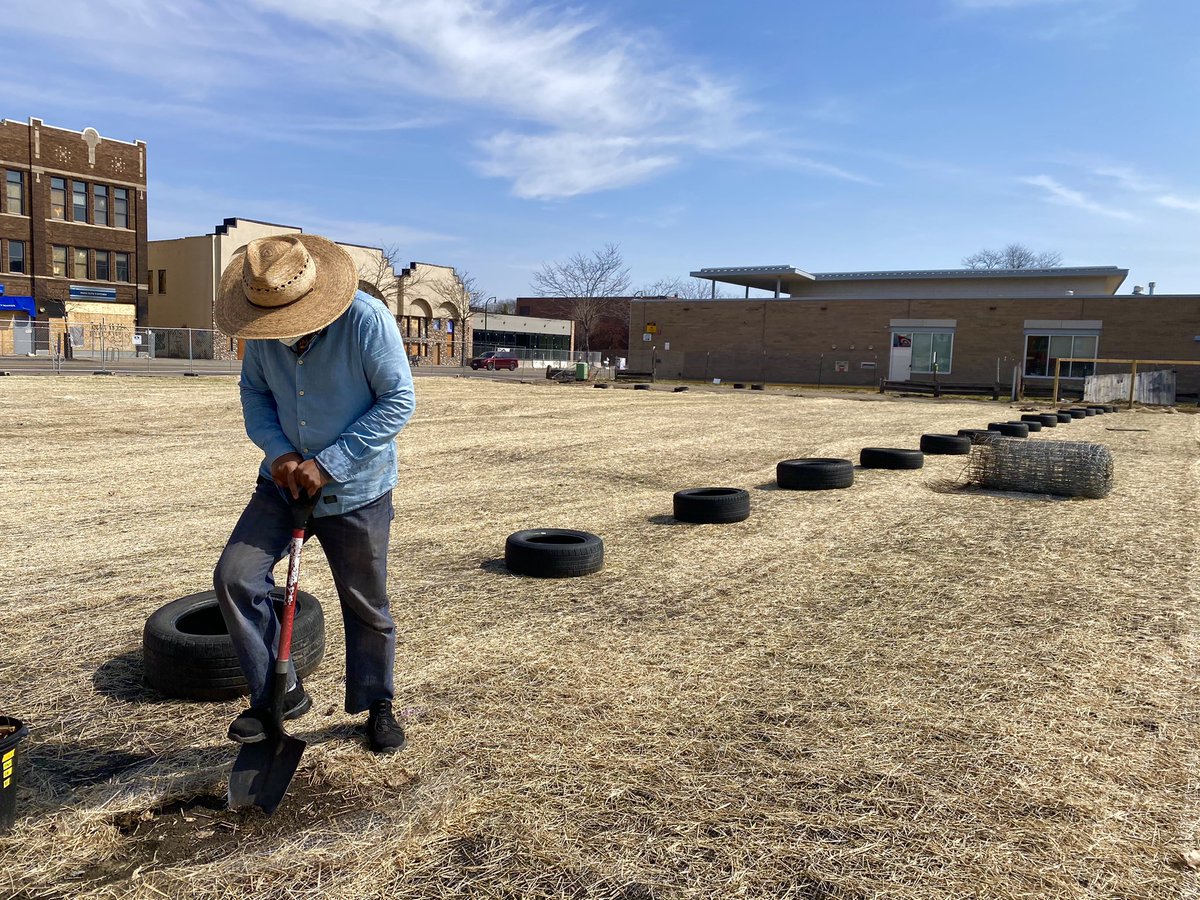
point(781, 278)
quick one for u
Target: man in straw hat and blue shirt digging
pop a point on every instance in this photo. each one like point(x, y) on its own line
point(326, 388)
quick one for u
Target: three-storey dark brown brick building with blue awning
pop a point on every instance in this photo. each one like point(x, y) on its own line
point(73, 237)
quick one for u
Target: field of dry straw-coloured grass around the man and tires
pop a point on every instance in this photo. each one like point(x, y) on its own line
point(887, 692)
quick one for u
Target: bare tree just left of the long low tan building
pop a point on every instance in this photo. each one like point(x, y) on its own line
point(589, 285)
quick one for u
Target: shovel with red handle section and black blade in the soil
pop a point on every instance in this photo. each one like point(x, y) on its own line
point(263, 771)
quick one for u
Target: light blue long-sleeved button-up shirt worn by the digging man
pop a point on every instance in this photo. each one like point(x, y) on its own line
point(343, 401)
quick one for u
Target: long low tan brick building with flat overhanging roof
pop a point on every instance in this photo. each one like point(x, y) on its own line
point(856, 328)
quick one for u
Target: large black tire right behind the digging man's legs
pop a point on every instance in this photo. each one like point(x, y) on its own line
point(188, 653)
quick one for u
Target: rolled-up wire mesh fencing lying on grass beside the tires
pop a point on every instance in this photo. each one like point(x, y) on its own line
point(1065, 469)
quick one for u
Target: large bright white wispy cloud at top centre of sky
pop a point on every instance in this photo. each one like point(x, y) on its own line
point(585, 106)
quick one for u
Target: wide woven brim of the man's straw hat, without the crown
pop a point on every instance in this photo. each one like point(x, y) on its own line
point(331, 297)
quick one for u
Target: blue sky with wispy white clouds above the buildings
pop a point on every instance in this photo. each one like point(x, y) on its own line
point(497, 135)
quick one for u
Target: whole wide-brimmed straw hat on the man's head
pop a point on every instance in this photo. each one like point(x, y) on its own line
point(287, 286)
